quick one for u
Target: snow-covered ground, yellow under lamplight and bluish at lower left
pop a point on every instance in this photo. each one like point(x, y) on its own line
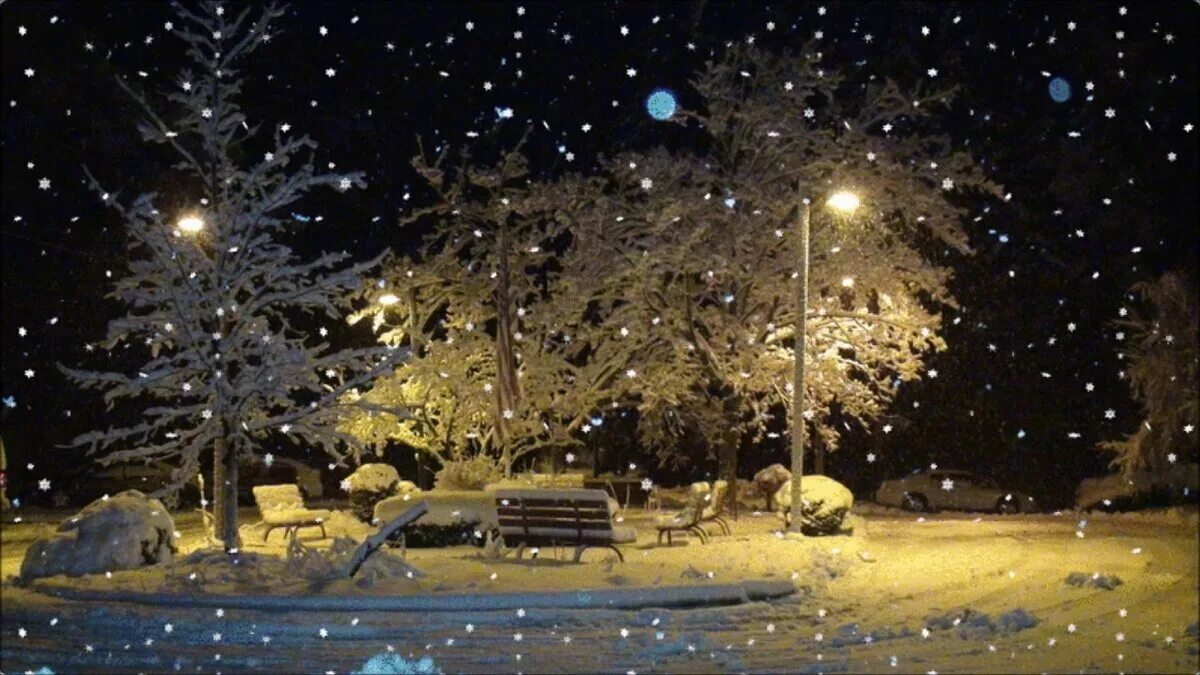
point(992, 593)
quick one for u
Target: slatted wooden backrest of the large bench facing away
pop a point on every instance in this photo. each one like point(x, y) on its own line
point(537, 513)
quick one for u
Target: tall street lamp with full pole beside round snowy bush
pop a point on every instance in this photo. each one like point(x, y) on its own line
point(845, 204)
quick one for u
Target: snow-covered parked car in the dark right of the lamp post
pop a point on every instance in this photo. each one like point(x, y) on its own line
point(929, 491)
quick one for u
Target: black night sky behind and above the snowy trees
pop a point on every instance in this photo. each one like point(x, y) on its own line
point(1103, 186)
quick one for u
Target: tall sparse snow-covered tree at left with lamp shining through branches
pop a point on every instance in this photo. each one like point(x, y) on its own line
point(224, 316)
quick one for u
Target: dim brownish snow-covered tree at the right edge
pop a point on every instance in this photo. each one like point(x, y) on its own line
point(1165, 374)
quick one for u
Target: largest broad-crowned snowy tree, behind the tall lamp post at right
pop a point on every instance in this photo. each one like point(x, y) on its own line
point(693, 256)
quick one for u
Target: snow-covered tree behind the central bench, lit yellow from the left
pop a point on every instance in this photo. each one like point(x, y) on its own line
point(493, 371)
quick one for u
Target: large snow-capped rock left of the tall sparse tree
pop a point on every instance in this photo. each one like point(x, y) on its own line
point(127, 531)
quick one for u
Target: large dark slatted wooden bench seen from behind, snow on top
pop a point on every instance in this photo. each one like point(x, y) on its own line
point(579, 518)
